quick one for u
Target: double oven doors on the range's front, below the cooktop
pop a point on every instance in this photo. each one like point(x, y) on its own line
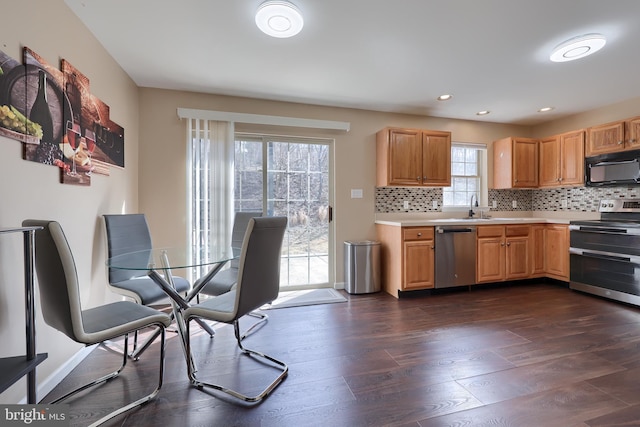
point(606, 261)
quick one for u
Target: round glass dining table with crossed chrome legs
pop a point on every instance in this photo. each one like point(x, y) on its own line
point(159, 263)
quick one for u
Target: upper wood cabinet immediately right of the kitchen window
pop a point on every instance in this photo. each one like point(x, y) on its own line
point(515, 163)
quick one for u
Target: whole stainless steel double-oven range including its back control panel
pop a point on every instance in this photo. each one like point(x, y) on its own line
point(605, 253)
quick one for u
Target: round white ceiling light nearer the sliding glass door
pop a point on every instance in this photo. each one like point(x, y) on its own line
point(279, 19)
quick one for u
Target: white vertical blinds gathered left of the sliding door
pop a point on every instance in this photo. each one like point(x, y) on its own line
point(211, 181)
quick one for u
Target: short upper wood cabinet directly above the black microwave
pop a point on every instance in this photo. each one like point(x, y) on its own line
point(612, 137)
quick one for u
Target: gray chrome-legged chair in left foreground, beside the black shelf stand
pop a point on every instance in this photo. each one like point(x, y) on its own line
point(62, 310)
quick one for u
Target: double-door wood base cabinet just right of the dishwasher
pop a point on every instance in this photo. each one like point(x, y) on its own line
point(502, 253)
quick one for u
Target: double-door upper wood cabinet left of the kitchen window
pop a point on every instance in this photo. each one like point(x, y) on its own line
point(413, 157)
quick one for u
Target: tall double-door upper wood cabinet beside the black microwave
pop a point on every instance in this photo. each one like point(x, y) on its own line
point(562, 160)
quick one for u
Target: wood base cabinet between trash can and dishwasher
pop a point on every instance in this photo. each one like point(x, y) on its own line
point(407, 258)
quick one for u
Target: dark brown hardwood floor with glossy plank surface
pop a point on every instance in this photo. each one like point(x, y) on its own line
point(520, 355)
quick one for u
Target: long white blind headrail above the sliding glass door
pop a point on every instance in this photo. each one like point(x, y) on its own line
point(260, 119)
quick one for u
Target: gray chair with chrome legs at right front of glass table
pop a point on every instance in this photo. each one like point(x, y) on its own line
point(258, 284)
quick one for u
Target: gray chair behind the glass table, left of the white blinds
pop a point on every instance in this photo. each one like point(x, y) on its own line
point(128, 233)
